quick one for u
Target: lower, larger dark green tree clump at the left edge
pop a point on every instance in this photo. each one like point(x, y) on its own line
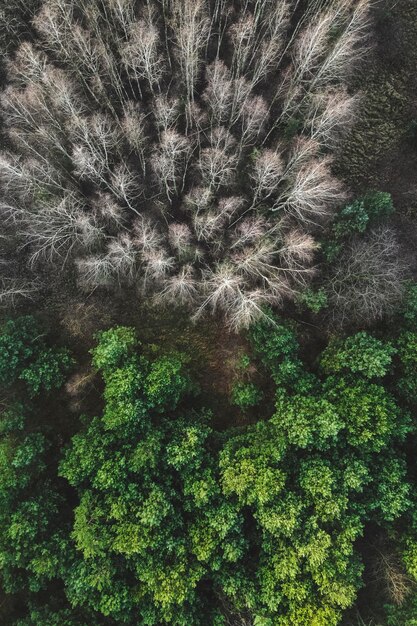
point(31, 542)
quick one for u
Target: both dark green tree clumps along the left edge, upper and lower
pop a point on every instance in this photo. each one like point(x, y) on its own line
point(32, 542)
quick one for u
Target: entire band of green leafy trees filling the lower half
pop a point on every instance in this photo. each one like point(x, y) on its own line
point(176, 523)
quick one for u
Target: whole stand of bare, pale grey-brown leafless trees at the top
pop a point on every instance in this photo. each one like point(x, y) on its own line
point(143, 144)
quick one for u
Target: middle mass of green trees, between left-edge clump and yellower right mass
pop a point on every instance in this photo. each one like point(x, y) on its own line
point(144, 545)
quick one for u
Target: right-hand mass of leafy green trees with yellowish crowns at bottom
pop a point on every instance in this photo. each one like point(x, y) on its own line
point(309, 509)
